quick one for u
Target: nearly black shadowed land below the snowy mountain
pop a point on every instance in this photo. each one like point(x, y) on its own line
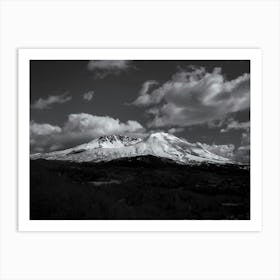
point(138, 188)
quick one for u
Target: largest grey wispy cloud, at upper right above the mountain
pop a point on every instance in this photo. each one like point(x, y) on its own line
point(195, 97)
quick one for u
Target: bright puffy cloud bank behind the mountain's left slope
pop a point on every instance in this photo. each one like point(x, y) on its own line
point(79, 128)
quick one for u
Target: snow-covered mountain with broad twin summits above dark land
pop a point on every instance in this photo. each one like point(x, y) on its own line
point(160, 144)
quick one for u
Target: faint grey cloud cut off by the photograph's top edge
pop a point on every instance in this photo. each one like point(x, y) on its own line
point(103, 68)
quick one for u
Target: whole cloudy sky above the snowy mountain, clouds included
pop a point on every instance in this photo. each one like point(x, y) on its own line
point(207, 101)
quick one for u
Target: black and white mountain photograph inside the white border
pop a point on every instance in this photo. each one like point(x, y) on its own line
point(140, 139)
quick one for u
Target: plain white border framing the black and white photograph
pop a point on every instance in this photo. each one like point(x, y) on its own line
point(254, 55)
